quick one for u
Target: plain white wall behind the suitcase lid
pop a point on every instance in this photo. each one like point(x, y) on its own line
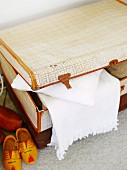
point(17, 11)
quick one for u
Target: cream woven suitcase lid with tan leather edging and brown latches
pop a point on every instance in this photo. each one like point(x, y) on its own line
point(70, 43)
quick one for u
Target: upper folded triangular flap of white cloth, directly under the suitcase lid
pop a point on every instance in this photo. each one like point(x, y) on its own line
point(81, 86)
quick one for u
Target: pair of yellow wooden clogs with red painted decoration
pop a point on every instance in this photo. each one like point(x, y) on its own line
point(16, 149)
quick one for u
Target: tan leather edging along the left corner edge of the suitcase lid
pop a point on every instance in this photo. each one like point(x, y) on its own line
point(30, 72)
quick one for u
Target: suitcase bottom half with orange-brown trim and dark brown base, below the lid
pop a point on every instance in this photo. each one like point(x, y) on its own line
point(34, 113)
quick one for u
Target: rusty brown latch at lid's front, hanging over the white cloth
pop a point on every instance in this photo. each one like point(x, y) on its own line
point(65, 80)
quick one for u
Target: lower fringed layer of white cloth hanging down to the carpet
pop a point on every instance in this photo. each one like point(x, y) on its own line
point(73, 121)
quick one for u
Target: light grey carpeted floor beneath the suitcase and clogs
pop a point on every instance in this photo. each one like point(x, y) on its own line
point(101, 152)
